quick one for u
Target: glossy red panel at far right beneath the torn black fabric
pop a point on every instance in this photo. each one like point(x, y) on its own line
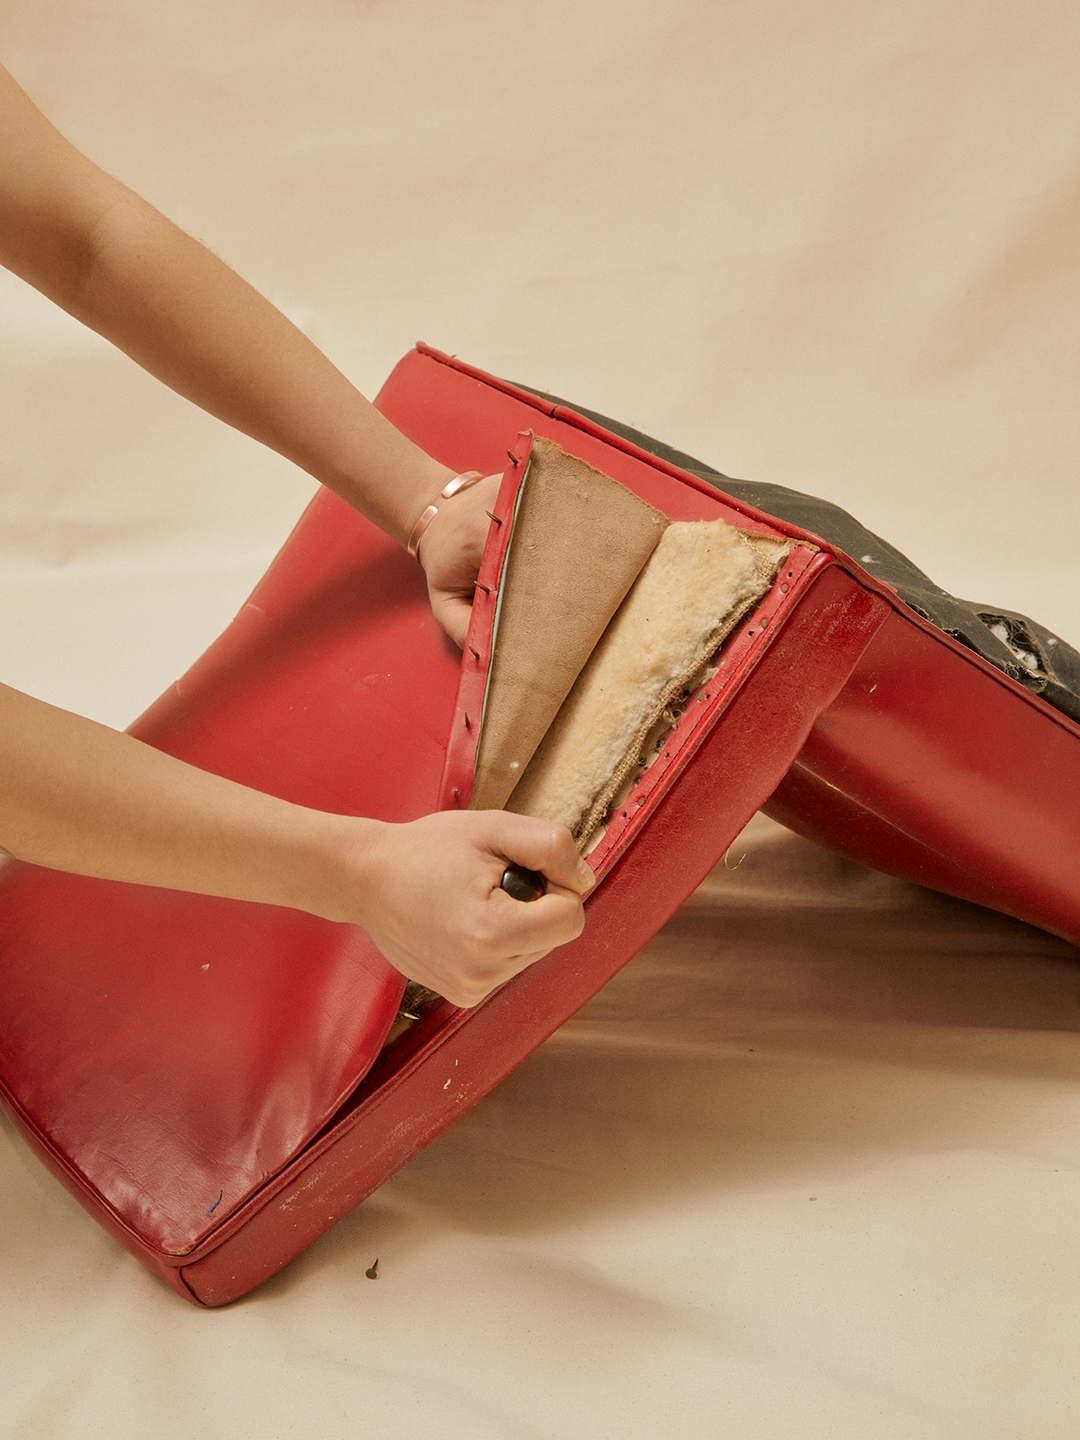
point(944, 780)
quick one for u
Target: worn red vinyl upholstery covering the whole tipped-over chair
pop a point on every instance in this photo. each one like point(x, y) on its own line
point(207, 1076)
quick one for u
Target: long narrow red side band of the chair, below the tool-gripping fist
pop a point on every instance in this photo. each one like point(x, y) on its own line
point(738, 765)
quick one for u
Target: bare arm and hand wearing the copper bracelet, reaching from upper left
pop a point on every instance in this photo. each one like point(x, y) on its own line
point(120, 267)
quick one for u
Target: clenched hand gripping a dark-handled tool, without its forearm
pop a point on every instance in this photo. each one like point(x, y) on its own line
point(431, 898)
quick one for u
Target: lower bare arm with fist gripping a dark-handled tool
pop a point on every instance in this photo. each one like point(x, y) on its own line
point(78, 797)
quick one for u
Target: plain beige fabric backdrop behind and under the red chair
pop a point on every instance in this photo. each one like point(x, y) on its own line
point(811, 1166)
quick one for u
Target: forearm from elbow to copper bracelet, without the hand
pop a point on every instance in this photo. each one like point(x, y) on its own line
point(188, 319)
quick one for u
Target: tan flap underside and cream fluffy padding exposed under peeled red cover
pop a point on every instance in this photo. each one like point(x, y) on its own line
point(610, 613)
